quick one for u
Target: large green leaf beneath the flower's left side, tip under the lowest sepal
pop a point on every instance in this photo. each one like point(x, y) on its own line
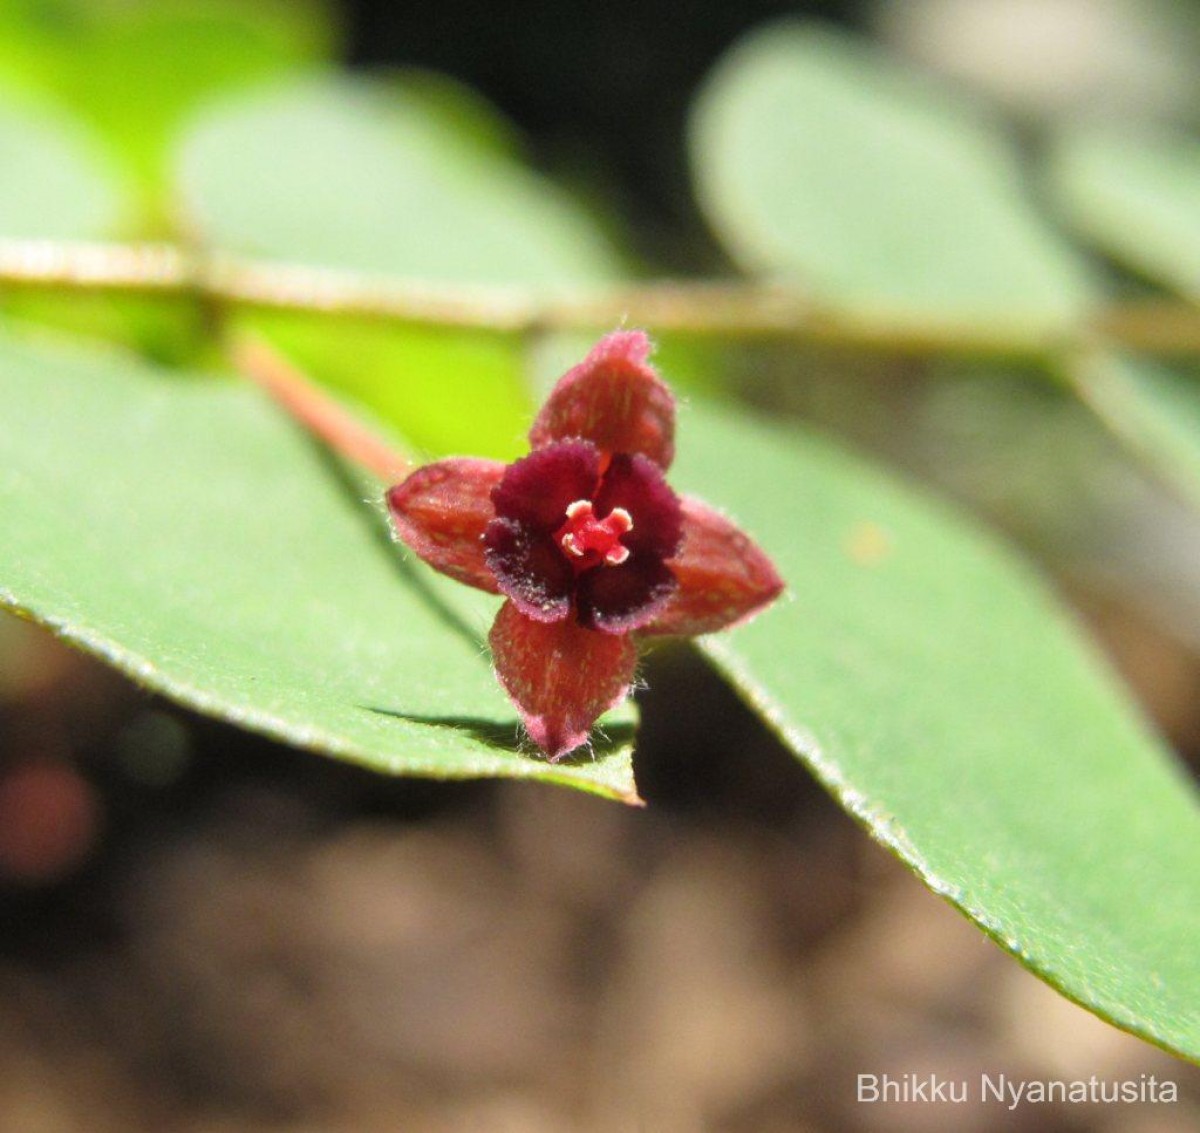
point(187, 533)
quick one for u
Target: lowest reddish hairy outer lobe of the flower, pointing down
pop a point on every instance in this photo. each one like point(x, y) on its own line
point(561, 676)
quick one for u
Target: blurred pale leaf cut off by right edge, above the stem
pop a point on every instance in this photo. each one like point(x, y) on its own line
point(1137, 196)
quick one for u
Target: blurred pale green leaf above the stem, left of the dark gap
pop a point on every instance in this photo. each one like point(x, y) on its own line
point(268, 175)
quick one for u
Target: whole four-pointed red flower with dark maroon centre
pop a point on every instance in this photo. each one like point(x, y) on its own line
point(587, 543)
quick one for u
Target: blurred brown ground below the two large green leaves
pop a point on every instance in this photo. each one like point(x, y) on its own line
point(262, 940)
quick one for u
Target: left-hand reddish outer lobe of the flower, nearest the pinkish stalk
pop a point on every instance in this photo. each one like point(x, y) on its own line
point(441, 512)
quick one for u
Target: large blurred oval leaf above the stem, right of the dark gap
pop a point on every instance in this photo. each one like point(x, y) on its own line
point(821, 161)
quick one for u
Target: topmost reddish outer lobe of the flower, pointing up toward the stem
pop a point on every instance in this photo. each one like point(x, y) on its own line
point(614, 399)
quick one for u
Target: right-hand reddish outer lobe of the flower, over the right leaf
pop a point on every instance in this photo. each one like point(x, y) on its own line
point(724, 577)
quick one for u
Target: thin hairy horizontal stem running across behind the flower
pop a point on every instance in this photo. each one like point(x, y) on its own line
point(728, 310)
